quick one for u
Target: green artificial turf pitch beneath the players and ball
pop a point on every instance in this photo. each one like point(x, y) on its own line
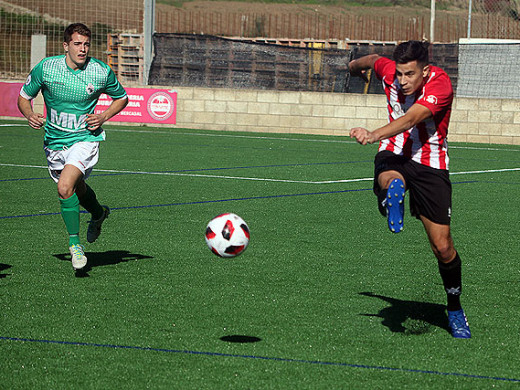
point(324, 297)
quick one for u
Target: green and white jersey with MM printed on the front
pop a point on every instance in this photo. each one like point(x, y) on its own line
point(69, 96)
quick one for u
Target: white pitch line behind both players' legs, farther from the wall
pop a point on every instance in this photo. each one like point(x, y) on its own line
point(258, 178)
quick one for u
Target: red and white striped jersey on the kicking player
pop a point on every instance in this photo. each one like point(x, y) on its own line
point(426, 142)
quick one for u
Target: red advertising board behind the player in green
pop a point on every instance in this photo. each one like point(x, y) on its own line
point(144, 105)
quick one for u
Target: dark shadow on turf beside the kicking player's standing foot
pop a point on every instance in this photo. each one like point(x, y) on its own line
point(410, 317)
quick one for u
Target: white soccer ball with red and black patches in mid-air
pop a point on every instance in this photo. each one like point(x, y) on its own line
point(227, 235)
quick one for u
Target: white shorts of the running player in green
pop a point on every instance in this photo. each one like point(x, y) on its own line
point(83, 155)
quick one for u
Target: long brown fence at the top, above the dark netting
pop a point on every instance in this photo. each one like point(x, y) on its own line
point(496, 19)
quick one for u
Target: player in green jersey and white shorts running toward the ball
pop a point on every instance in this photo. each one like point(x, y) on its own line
point(71, 85)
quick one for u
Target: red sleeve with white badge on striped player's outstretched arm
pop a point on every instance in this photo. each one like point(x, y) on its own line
point(438, 93)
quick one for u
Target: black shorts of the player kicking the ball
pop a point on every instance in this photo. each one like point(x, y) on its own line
point(429, 188)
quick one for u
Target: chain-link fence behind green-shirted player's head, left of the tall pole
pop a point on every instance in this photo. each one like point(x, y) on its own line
point(21, 19)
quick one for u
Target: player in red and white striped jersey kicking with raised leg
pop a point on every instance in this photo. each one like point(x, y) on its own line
point(413, 156)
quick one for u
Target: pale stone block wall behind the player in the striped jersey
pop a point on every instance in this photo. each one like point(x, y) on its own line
point(473, 120)
